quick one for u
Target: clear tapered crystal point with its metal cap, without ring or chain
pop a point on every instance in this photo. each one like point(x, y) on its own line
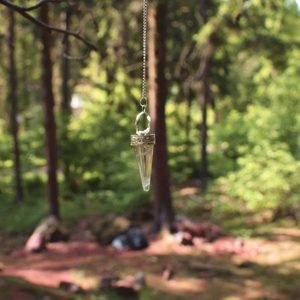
point(143, 148)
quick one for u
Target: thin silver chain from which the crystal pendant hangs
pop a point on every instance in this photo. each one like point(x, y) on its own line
point(144, 99)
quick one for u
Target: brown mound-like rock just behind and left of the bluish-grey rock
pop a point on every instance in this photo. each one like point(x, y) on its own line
point(107, 228)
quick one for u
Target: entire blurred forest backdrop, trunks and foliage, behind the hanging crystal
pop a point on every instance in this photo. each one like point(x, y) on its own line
point(224, 97)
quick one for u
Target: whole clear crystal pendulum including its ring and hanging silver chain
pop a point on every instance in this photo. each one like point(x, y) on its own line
point(143, 141)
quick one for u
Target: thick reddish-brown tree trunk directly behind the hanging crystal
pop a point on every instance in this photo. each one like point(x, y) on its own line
point(158, 92)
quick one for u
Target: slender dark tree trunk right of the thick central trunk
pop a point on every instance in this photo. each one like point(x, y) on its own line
point(204, 98)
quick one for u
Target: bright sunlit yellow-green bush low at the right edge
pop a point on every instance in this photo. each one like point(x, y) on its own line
point(266, 178)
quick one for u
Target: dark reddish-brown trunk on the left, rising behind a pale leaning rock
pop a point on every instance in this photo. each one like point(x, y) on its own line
point(50, 126)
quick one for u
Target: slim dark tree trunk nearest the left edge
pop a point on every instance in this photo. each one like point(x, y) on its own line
point(13, 98)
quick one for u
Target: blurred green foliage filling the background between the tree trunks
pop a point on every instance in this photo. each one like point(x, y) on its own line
point(254, 117)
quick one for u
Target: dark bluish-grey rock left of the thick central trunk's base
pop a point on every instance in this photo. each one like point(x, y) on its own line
point(133, 239)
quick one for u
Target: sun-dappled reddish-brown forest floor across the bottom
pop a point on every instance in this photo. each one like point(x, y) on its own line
point(263, 266)
